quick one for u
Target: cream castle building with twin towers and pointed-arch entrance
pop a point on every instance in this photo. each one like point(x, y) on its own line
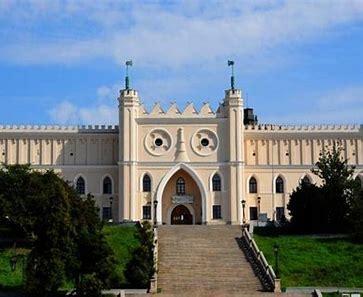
point(183, 166)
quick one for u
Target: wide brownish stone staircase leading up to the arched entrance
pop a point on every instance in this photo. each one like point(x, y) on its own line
point(204, 261)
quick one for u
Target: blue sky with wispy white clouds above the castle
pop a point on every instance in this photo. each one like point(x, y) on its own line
point(297, 62)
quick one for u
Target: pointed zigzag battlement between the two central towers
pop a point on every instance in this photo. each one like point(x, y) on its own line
point(174, 111)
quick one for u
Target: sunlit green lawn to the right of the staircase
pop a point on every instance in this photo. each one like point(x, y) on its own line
point(311, 261)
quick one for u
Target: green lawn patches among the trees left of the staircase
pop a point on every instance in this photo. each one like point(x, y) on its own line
point(121, 239)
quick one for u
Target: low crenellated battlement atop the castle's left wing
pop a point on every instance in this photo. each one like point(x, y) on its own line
point(60, 128)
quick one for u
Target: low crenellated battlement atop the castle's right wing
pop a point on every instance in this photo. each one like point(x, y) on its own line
point(304, 128)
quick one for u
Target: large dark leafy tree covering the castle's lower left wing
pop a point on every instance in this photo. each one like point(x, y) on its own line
point(65, 231)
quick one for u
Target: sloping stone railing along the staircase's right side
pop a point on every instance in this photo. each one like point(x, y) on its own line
point(259, 258)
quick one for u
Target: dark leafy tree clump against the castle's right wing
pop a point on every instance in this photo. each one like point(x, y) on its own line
point(326, 208)
